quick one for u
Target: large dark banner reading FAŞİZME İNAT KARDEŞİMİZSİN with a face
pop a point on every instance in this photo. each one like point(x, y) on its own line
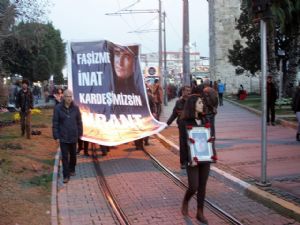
point(109, 88)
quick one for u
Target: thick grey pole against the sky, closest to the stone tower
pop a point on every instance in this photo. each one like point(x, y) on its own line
point(185, 44)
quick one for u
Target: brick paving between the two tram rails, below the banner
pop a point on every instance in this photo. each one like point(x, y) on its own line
point(145, 194)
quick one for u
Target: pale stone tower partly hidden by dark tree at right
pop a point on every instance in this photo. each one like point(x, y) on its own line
point(223, 15)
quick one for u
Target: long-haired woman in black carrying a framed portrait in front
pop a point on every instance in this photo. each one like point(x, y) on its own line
point(193, 115)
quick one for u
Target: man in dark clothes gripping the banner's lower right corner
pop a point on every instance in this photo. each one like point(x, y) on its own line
point(176, 113)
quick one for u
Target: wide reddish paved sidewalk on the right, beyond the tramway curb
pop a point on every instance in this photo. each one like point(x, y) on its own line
point(238, 133)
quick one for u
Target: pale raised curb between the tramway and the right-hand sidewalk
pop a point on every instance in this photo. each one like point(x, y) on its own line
point(272, 201)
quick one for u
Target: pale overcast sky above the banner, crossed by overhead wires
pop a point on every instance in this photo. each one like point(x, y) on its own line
point(83, 20)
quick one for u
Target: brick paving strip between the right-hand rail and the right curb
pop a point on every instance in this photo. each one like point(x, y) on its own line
point(225, 194)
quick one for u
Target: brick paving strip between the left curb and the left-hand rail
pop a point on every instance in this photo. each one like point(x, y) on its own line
point(80, 202)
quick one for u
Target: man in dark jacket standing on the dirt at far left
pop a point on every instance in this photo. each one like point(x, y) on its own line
point(24, 101)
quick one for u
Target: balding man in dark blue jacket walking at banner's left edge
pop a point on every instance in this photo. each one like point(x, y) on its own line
point(67, 128)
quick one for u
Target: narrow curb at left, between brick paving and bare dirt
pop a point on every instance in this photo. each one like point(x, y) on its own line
point(54, 209)
